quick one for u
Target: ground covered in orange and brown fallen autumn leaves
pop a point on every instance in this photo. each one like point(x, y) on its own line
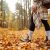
point(10, 40)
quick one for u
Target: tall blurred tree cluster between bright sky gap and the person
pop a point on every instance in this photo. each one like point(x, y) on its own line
point(23, 12)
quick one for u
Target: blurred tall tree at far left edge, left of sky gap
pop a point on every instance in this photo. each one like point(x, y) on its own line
point(4, 9)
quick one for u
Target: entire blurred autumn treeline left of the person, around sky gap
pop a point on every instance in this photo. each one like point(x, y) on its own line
point(18, 20)
